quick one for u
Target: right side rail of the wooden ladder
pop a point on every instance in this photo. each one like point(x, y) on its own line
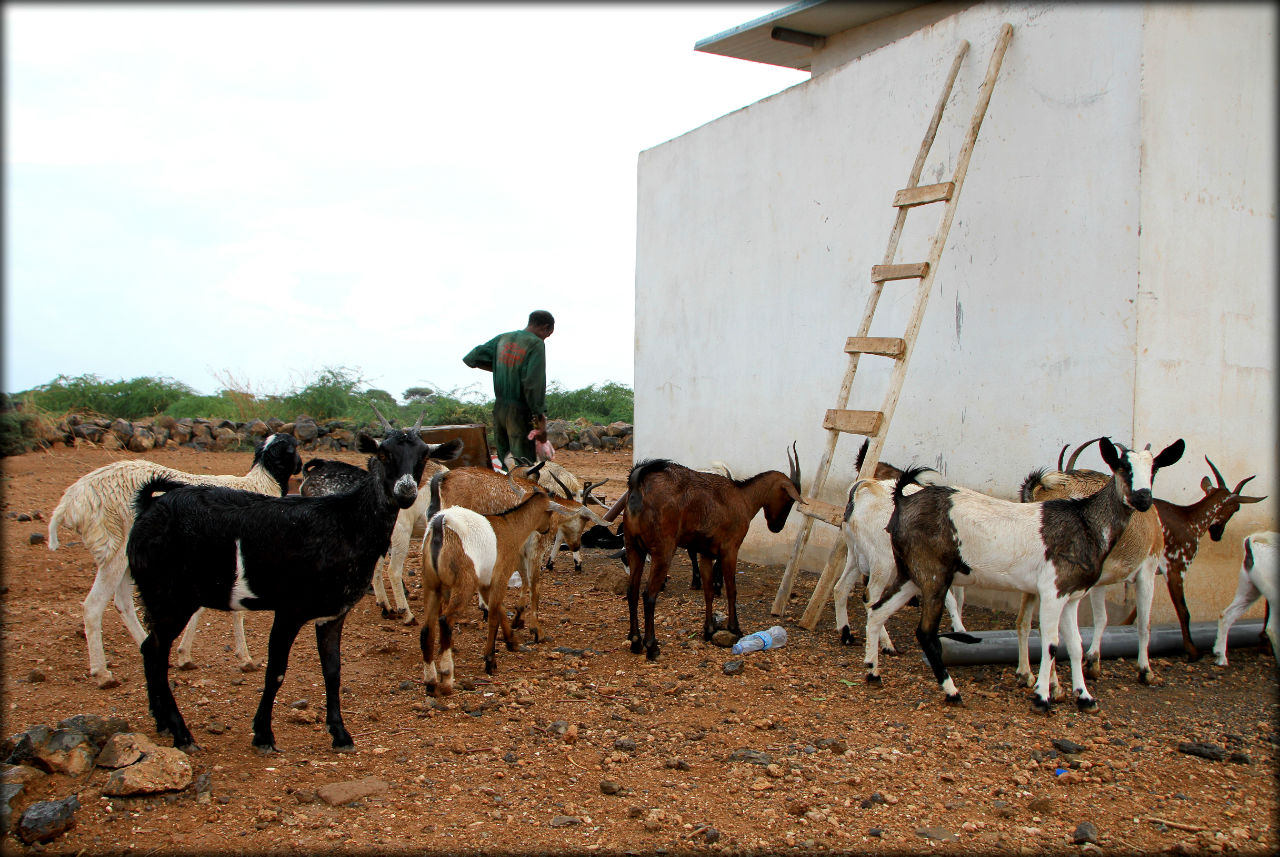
point(828, 580)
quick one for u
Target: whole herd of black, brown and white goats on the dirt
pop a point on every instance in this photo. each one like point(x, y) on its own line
point(190, 542)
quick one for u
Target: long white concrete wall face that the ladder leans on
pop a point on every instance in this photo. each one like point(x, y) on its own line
point(757, 235)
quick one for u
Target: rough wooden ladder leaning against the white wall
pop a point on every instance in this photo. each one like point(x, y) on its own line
point(875, 424)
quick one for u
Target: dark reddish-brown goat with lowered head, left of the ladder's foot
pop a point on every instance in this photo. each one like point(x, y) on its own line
point(671, 506)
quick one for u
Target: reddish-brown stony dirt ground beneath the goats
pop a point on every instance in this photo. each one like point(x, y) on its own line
point(577, 745)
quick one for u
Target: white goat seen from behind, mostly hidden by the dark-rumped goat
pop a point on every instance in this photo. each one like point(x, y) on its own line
point(871, 557)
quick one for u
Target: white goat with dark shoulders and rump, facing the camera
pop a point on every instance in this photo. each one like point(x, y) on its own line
point(1053, 549)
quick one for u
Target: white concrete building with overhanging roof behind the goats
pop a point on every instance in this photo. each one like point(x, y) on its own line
point(1110, 269)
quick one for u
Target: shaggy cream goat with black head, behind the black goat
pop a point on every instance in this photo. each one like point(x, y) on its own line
point(99, 506)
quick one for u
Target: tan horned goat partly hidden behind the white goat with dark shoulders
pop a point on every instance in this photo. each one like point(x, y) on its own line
point(1137, 557)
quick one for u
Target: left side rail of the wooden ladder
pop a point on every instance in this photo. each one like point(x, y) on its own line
point(847, 386)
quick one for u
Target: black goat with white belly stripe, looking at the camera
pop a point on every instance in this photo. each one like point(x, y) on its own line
point(305, 558)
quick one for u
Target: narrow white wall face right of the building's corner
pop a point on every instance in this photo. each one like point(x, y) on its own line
point(1208, 282)
